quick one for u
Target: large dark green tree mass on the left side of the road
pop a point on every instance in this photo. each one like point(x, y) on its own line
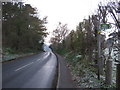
point(24, 29)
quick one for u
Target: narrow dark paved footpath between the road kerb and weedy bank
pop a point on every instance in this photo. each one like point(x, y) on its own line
point(64, 77)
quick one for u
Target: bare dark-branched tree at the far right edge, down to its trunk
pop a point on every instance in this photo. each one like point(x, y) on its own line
point(114, 10)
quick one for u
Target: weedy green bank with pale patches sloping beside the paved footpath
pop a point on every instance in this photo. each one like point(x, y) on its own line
point(83, 71)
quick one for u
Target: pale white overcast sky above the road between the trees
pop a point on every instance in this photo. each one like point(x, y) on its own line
point(69, 12)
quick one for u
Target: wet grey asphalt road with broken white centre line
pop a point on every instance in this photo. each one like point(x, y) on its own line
point(37, 71)
